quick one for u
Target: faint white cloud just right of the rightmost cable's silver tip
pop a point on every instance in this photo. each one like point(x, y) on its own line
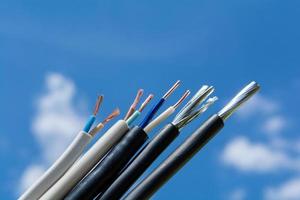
point(258, 104)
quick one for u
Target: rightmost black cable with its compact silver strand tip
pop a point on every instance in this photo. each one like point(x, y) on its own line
point(176, 160)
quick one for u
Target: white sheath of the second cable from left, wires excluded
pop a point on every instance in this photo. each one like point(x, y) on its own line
point(87, 162)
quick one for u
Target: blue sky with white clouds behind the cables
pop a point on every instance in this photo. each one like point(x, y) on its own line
point(55, 57)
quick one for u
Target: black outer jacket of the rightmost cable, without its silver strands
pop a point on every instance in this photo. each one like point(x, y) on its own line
point(176, 160)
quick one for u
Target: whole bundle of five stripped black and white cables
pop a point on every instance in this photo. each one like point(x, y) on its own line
point(110, 167)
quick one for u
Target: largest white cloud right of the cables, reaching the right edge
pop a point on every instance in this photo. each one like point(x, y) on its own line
point(246, 156)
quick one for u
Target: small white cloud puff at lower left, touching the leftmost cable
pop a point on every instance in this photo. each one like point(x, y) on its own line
point(31, 174)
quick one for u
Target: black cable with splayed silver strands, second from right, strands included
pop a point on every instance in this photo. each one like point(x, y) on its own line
point(149, 154)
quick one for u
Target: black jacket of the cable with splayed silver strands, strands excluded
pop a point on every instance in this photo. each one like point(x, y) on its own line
point(139, 165)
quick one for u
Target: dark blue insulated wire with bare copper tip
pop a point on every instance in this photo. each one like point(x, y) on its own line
point(156, 107)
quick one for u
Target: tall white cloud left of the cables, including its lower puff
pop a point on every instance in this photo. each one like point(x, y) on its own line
point(55, 124)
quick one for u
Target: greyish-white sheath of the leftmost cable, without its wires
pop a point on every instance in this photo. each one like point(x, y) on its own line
point(60, 166)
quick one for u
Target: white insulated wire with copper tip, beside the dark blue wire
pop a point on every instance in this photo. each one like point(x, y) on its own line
point(163, 116)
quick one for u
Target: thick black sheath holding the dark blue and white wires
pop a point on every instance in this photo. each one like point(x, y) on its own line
point(109, 168)
